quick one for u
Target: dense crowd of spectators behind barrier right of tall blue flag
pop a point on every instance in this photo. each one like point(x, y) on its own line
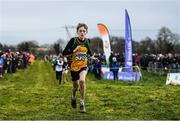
point(159, 63)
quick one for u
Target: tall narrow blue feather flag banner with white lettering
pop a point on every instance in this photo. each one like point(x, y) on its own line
point(128, 44)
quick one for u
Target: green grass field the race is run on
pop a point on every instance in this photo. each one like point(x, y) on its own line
point(35, 94)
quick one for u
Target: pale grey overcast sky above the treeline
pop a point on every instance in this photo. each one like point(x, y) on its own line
point(44, 20)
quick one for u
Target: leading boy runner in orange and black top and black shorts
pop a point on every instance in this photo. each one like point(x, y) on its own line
point(78, 48)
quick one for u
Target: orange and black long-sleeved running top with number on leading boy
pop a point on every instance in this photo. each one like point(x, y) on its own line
point(79, 58)
